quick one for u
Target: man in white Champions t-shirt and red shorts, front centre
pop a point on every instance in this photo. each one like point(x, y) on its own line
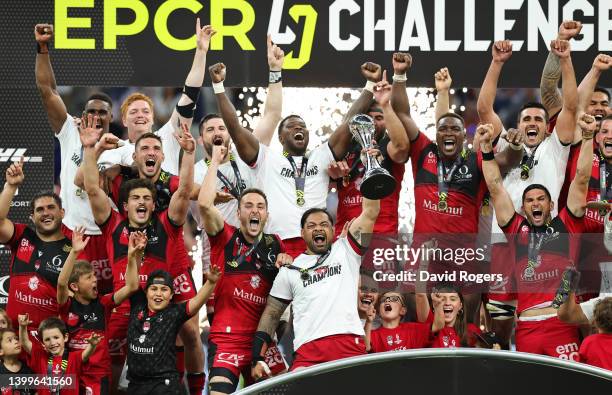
point(321, 284)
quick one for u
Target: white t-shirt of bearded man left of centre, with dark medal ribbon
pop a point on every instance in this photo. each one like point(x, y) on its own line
point(228, 209)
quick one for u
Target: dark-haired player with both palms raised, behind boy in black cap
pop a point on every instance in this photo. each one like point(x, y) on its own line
point(165, 248)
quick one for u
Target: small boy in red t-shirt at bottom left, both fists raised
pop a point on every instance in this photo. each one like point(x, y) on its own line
point(54, 360)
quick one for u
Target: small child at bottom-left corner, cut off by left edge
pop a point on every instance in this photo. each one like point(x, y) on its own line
point(10, 349)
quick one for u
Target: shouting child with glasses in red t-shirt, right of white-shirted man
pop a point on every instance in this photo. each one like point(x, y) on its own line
point(393, 335)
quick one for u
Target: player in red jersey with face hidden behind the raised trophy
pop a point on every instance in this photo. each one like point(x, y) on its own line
point(392, 141)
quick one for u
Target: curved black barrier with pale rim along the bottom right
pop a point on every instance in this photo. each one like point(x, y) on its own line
point(442, 371)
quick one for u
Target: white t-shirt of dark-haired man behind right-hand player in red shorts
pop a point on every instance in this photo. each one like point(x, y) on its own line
point(548, 169)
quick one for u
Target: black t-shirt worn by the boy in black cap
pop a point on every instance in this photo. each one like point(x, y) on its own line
point(151, 337)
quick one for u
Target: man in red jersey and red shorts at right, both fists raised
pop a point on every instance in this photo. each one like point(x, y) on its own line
point(544, 246)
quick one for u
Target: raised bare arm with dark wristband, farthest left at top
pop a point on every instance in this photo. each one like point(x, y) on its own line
point(45, 78)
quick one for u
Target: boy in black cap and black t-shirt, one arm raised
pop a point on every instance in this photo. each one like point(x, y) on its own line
point(154, 324)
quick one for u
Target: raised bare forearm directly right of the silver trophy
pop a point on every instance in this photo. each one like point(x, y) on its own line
point(399, 145)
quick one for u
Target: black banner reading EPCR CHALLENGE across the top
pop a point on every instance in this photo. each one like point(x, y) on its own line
point(151, 42)
